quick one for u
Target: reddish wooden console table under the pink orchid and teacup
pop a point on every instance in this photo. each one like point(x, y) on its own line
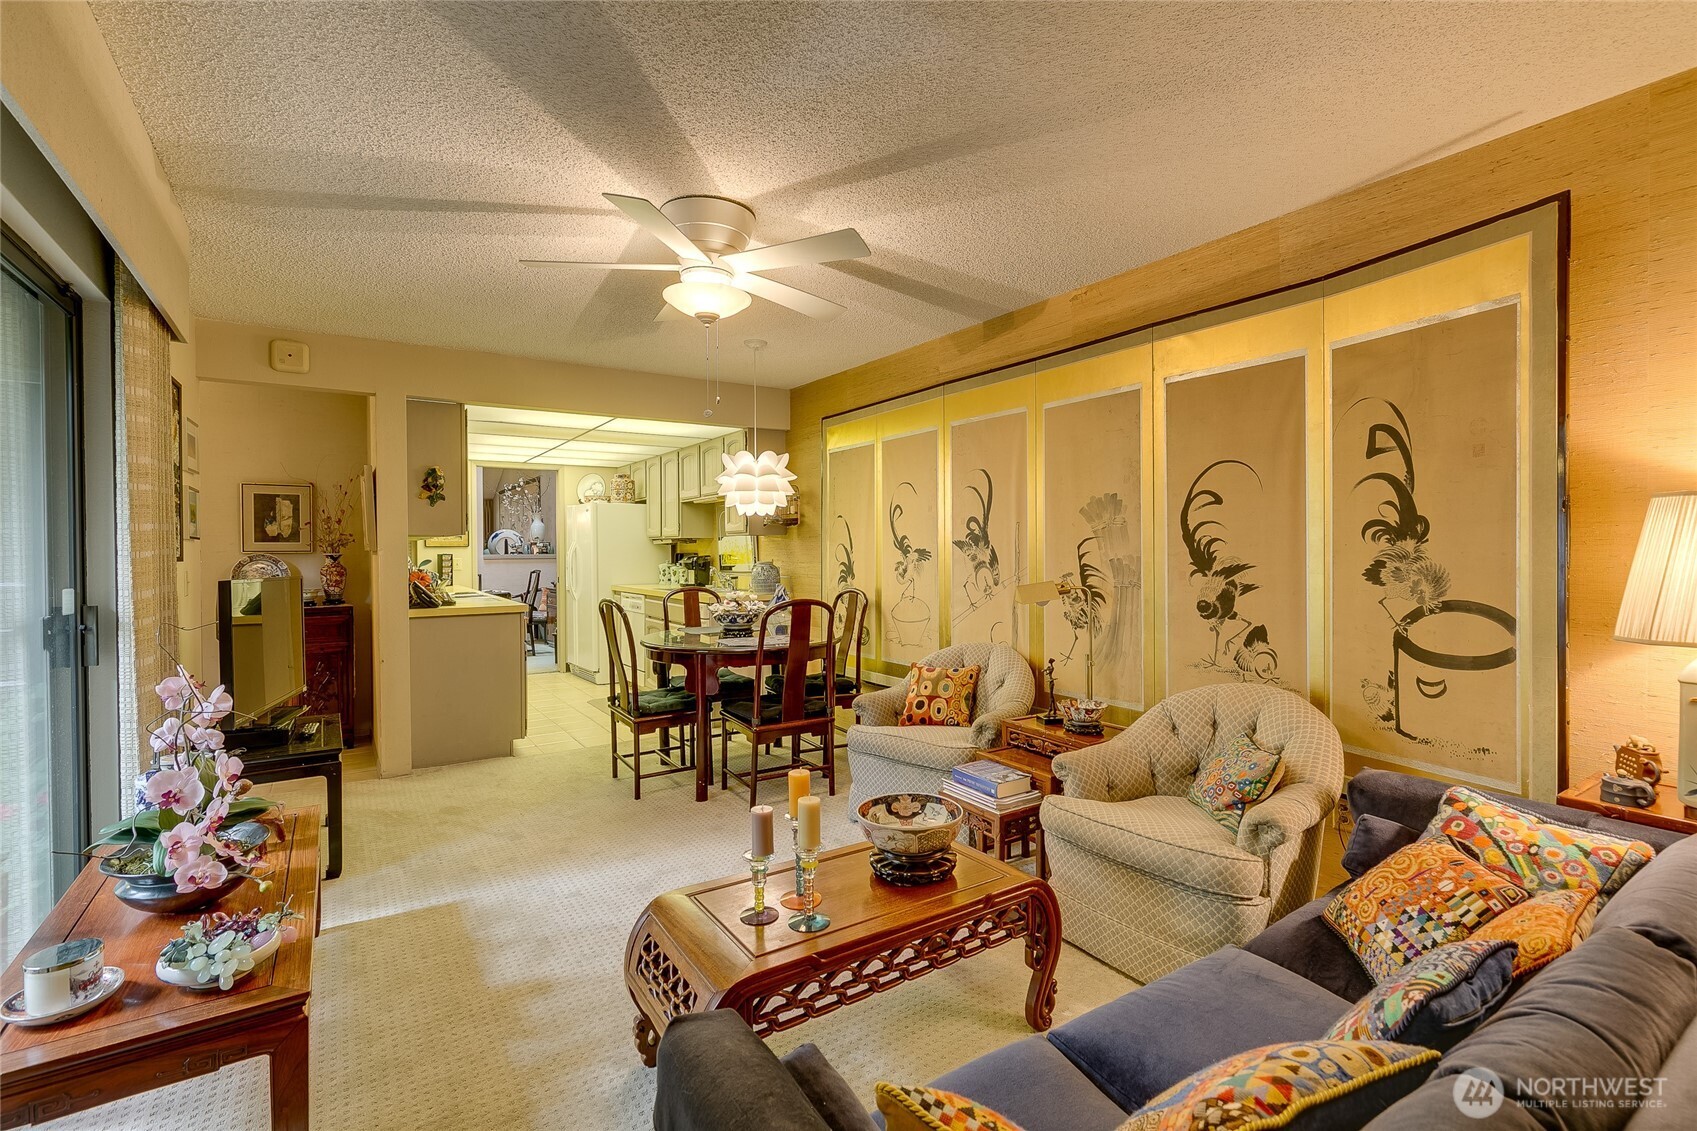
point(152, 1035)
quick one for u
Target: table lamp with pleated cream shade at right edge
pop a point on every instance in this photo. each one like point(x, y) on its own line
point(1661, 607)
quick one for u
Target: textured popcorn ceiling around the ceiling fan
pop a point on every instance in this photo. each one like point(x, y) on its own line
point(379, 169)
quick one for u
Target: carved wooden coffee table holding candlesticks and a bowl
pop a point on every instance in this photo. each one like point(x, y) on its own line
point(690, 952)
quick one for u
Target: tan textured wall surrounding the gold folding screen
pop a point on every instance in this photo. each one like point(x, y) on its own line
point(1632, 169)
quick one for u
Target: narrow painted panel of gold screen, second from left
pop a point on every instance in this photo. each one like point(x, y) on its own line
point(909, 553)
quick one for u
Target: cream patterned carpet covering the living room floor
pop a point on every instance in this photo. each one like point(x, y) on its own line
point(471, 967)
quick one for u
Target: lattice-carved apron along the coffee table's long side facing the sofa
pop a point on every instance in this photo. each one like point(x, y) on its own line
point(832, 989)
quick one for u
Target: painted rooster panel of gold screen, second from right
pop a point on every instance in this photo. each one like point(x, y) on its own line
point(1236, 490)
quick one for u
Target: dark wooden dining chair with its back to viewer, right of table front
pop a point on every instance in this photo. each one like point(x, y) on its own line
point(792, 712)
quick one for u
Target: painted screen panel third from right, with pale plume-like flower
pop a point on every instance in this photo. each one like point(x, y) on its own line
point(1092, 526)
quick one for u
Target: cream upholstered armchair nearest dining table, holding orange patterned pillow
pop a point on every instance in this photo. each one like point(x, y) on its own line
point(885, 758)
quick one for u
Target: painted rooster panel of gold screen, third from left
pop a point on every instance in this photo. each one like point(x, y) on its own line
point(989, 527)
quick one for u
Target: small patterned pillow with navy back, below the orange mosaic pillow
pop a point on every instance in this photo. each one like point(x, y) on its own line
point(1437, 999)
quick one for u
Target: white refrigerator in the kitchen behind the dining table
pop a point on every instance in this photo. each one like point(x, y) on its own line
point(607, 544)
